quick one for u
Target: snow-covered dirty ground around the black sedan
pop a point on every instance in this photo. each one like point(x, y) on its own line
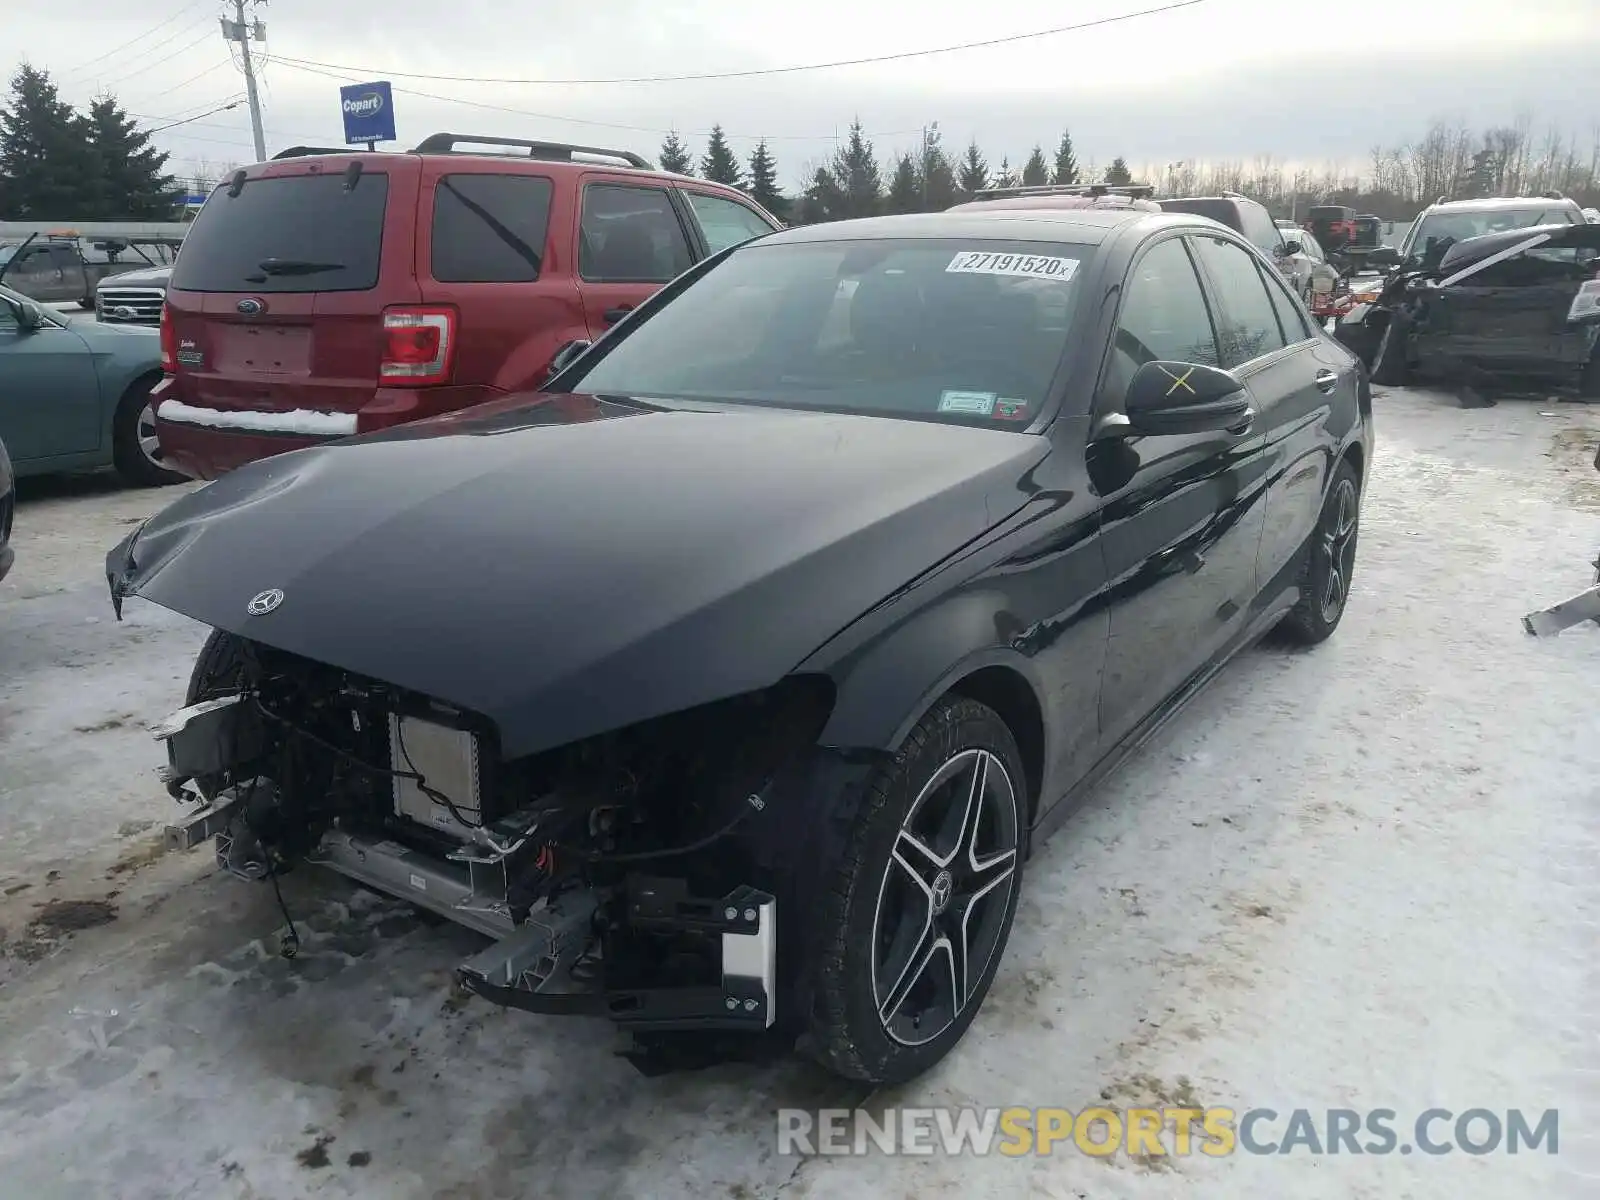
point(1354, 878)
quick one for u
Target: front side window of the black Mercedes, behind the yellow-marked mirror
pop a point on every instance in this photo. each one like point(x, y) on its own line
point(1164, 318)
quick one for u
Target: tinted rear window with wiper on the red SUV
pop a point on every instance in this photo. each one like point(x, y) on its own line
point(313, 233)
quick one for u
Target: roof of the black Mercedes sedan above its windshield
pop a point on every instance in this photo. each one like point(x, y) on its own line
point(1082, 226)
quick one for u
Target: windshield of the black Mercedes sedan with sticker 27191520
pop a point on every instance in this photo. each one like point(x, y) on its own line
point(945, 330)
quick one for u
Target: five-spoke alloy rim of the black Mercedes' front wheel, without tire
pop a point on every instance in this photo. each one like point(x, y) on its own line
point(945, 898)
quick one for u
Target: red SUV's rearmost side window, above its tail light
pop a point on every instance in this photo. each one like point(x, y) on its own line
point(490, 228)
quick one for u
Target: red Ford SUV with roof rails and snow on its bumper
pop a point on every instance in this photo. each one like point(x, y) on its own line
point(327, 294)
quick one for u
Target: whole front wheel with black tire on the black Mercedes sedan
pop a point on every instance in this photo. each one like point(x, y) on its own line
point(876, 905)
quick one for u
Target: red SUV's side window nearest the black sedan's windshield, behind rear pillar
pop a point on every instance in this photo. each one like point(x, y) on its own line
point(631, 236)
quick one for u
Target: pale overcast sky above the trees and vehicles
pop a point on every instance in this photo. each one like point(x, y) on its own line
point(1302, 81)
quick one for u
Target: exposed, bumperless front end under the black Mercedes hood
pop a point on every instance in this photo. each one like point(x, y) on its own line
point(617, 874)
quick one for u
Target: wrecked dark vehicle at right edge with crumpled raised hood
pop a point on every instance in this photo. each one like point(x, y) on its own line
point(1521, 306)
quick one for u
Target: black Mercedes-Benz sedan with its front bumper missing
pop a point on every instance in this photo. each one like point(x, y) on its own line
point(727, 682)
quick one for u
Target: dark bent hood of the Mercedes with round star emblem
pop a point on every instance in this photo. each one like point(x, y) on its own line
point(569, 566)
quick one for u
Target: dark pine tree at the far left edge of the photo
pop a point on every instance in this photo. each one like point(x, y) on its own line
point(44, 153)
